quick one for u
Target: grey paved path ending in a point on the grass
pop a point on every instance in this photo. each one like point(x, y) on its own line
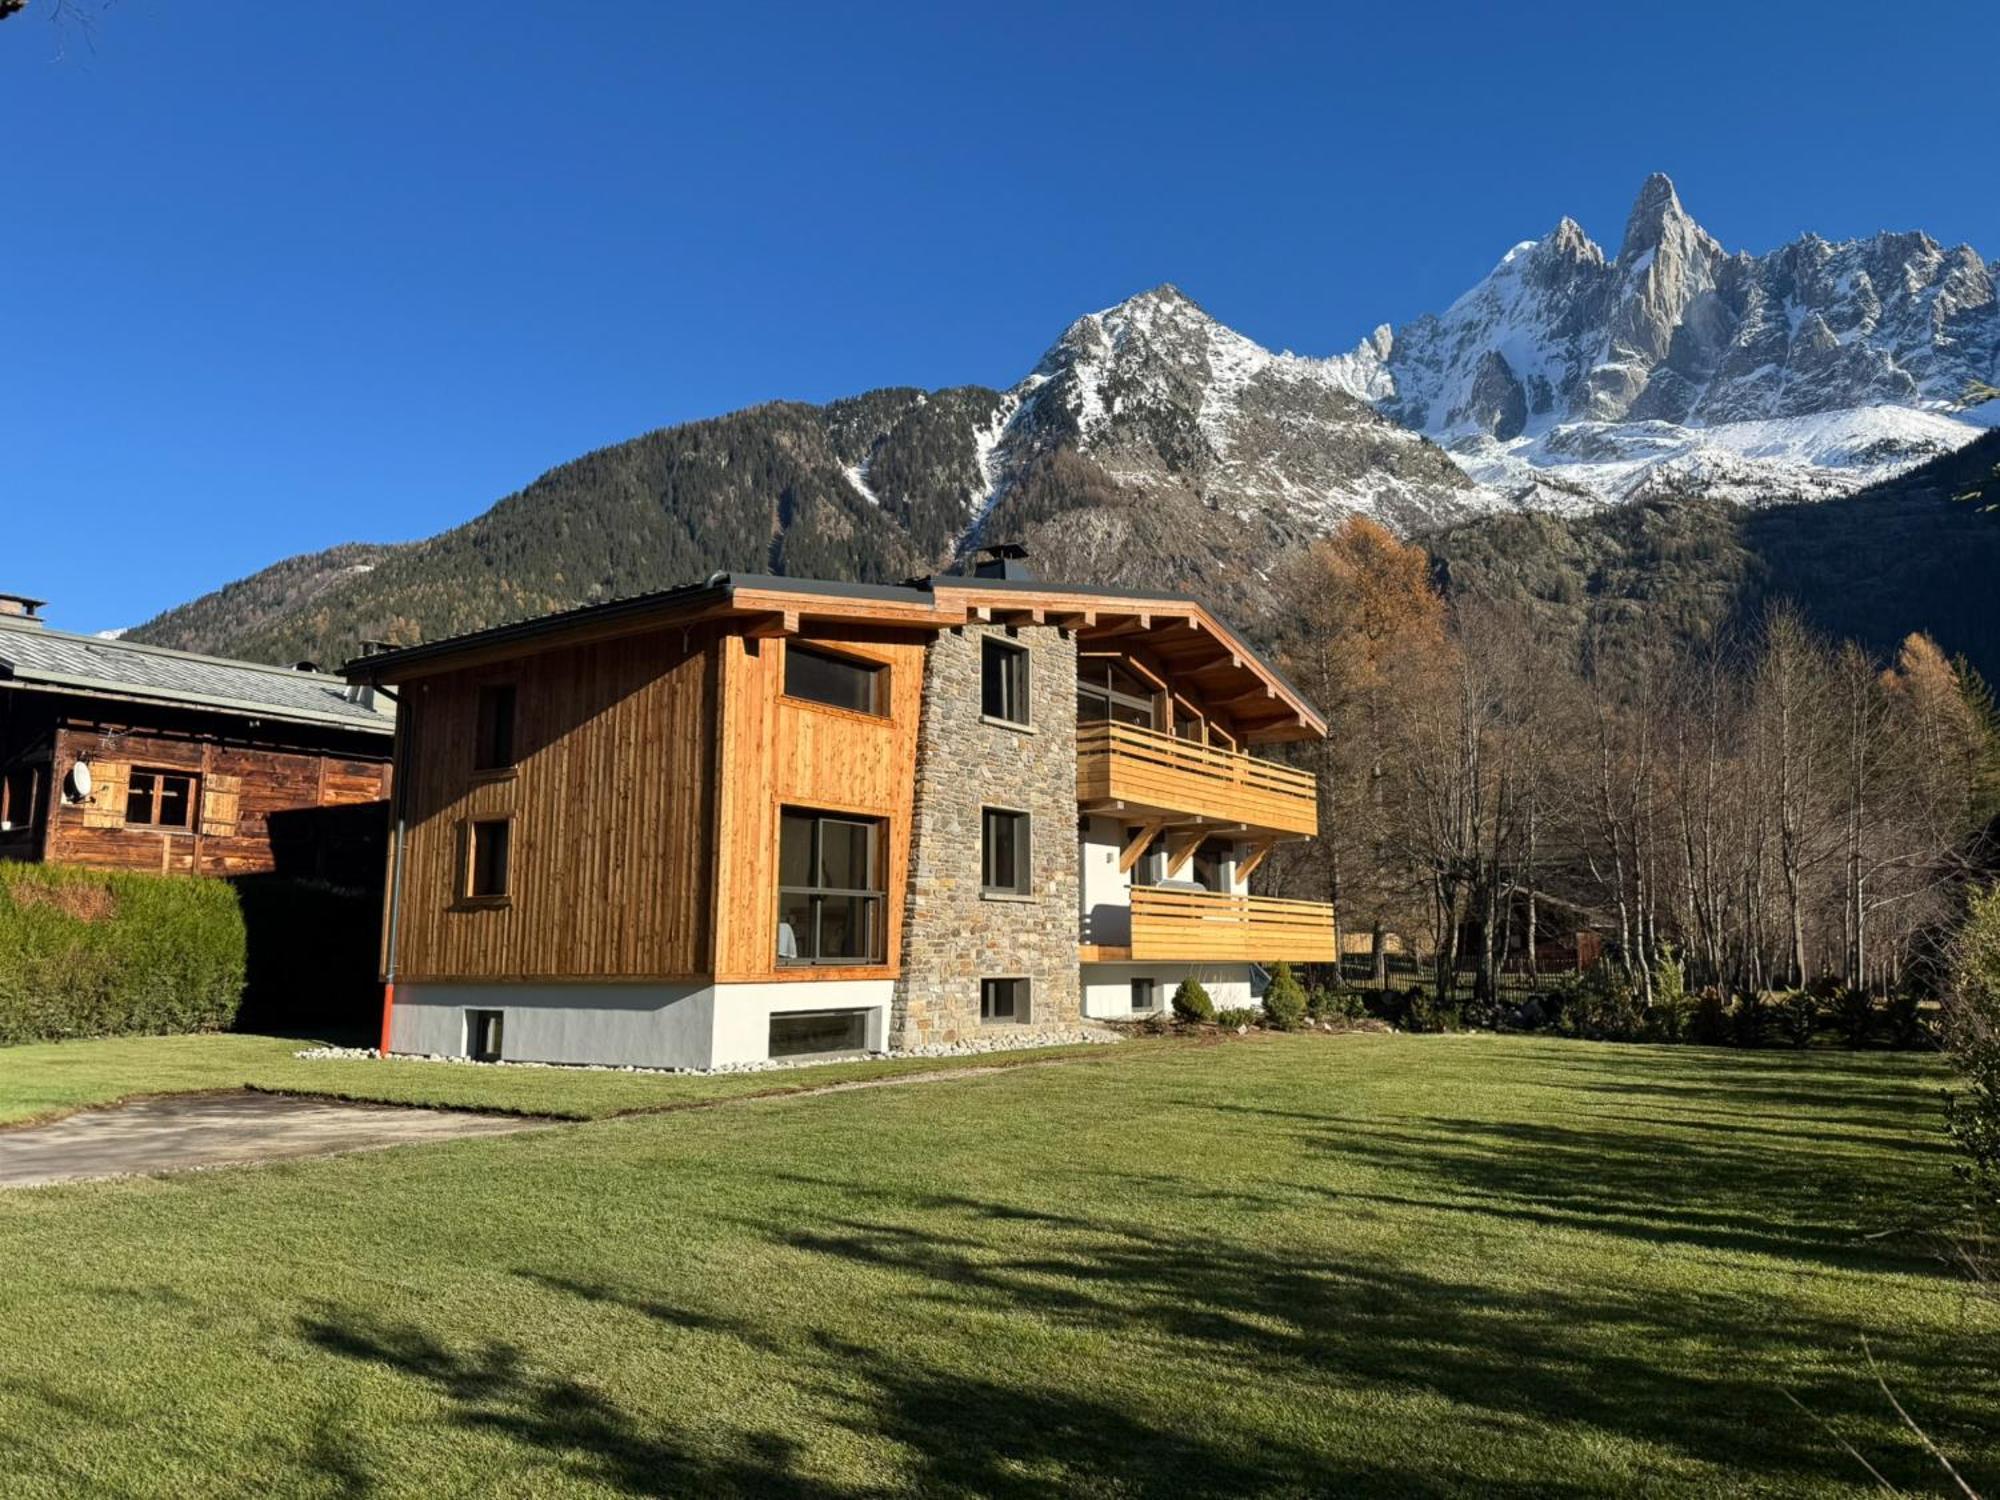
point(189, 1131)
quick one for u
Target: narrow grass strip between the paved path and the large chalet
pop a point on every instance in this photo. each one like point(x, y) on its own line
point(53, 1079)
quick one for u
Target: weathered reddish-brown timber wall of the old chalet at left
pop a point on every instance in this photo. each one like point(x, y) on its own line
point(243, 789)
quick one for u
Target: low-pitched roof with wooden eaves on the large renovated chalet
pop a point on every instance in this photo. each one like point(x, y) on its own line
point(1203, 641)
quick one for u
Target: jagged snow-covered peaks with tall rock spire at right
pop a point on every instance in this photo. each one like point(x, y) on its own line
point(1571, 379)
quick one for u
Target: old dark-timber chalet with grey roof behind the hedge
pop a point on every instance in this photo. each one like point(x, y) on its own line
point(131, 757)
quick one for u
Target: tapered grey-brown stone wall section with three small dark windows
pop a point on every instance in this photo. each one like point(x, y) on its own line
point(953, 935)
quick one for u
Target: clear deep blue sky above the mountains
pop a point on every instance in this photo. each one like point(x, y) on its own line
point(285, 275)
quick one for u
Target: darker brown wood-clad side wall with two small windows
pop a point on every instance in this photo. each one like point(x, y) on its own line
point(613, 807)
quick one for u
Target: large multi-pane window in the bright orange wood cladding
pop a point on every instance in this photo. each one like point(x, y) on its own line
point(829, 889)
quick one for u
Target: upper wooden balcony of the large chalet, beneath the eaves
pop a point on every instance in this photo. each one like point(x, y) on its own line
point(1149, 773)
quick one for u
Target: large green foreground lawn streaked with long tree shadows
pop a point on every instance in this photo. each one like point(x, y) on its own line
point(1371, 1265)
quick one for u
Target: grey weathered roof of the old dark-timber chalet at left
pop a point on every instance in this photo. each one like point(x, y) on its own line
point(99, 667)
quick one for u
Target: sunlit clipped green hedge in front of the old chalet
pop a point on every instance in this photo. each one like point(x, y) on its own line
point(89, 953)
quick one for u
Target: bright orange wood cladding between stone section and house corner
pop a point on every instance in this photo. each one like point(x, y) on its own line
point(785, 753)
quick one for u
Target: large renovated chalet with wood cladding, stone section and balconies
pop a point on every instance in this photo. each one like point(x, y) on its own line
point(771, 817)
